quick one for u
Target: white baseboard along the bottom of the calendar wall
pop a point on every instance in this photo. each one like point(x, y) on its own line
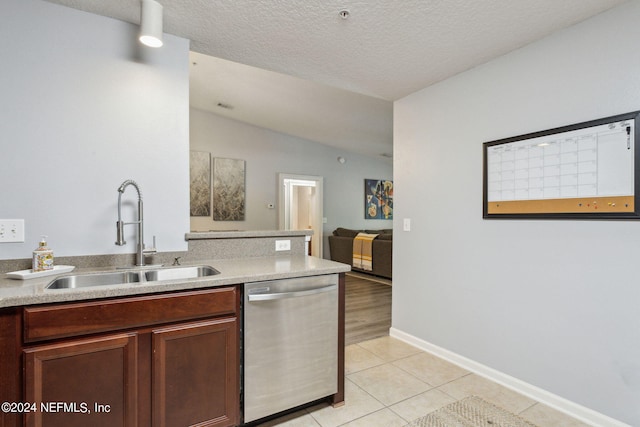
point(561, 404)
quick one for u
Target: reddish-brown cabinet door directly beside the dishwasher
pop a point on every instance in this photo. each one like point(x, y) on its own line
point(196, 374)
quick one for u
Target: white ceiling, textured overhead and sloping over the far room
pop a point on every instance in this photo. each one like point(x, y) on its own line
point(297, 67)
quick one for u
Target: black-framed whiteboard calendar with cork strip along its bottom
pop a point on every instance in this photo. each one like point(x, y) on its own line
point(587, 170)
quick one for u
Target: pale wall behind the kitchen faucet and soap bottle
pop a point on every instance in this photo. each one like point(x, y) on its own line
point(83, 108)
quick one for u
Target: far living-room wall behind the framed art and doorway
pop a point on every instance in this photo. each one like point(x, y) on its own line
point(267, 153)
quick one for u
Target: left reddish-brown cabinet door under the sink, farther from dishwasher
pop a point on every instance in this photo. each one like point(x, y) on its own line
point(85, 382)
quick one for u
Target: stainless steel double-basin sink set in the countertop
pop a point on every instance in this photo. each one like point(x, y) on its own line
point(131, 276)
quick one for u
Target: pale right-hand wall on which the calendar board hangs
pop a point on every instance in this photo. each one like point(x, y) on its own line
point(553, 303)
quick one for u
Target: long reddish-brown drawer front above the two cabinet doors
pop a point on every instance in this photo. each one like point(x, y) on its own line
point(74, 319)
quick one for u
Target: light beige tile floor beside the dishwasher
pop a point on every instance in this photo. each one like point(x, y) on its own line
point(390, 383)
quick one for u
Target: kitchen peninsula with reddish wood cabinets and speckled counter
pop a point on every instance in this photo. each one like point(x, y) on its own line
point(164, 352)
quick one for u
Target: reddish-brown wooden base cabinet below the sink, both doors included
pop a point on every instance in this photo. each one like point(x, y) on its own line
point(155, 360)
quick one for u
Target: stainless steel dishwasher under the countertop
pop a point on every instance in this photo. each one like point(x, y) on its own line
point(290, 343)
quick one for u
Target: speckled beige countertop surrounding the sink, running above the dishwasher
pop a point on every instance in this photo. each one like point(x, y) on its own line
point(232, 271)
